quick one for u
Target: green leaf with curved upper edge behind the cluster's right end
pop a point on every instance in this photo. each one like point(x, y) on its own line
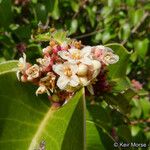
point(117, 72)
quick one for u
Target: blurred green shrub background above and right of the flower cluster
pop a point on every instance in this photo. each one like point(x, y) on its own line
point(94, 22)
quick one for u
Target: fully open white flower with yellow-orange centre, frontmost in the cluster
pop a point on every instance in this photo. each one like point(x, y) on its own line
point(67, 73)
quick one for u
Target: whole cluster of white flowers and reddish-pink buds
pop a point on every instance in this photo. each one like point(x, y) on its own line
point(65, 67)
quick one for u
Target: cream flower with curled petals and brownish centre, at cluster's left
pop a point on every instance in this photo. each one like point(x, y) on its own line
point(33, 72)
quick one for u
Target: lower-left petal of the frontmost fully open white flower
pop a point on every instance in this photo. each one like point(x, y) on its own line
point(62, 82)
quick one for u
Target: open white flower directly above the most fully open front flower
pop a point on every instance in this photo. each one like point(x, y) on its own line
point(76, 56)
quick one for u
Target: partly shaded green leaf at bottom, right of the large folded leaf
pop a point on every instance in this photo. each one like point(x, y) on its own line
point(98, 137)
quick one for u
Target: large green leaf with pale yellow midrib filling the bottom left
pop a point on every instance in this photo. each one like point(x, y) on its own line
point(27, 120)
